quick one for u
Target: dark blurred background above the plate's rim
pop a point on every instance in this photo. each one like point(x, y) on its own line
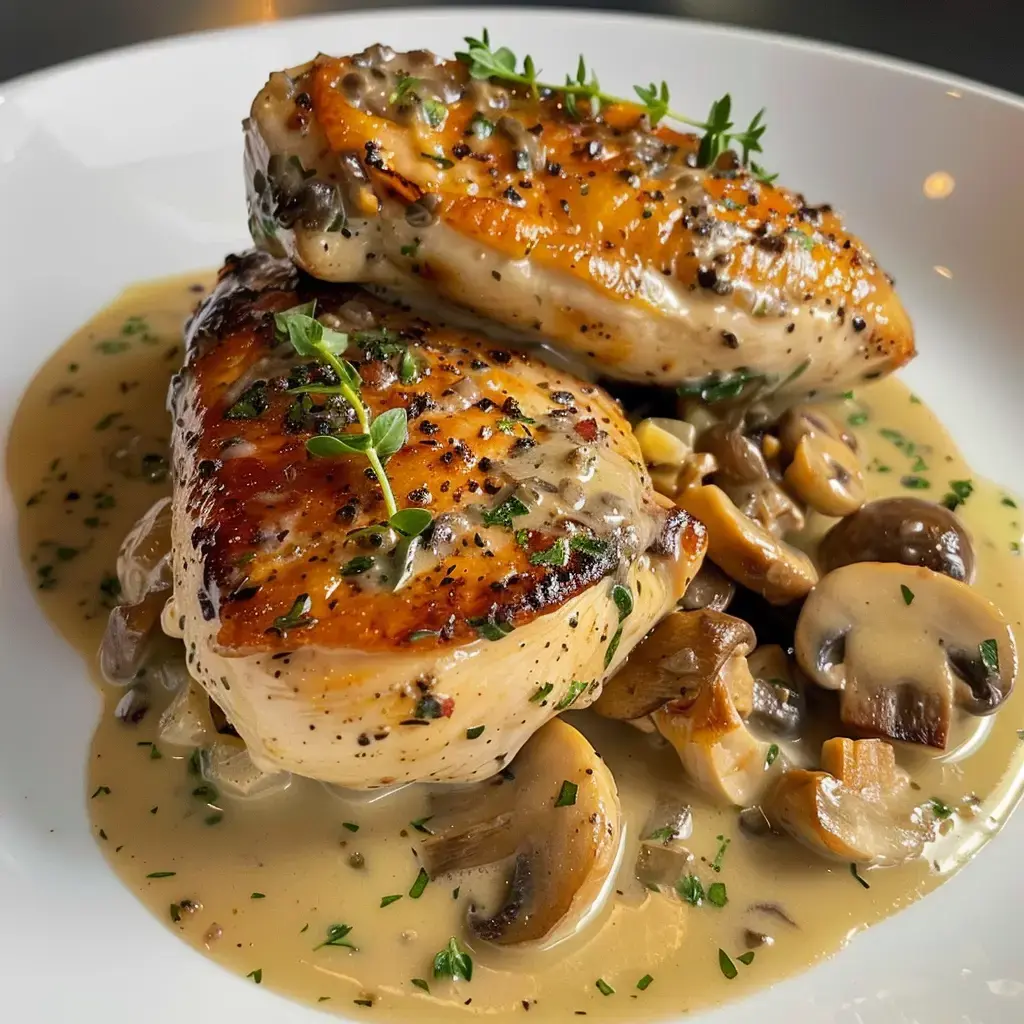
point(978, 38)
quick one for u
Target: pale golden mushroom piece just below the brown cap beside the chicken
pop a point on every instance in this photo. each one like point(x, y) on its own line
point(717, 750)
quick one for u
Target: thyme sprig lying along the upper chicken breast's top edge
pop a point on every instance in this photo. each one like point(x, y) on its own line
point(718, 129)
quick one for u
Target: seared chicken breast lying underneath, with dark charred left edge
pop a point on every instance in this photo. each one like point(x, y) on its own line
point(342, 650)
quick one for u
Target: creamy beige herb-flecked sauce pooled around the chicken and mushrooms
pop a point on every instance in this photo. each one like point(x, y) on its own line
point(258, 885)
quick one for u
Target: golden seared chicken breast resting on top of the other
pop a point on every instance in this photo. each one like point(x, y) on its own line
point(598, 234)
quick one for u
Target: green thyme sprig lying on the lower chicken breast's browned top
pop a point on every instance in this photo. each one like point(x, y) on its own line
point(379, 438)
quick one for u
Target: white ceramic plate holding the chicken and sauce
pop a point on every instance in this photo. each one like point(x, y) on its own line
point(130, 166)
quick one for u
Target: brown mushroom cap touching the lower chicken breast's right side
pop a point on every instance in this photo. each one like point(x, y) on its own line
point(682, 654)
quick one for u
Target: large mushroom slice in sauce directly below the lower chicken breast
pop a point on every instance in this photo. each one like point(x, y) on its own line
point(558, 821)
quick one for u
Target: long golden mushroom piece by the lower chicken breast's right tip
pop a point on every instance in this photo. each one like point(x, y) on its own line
point(747, 551)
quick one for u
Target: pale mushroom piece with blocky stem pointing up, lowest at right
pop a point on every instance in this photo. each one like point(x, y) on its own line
point(856, 817)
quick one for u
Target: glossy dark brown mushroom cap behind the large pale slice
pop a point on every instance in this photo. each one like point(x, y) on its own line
point(902, 530)
